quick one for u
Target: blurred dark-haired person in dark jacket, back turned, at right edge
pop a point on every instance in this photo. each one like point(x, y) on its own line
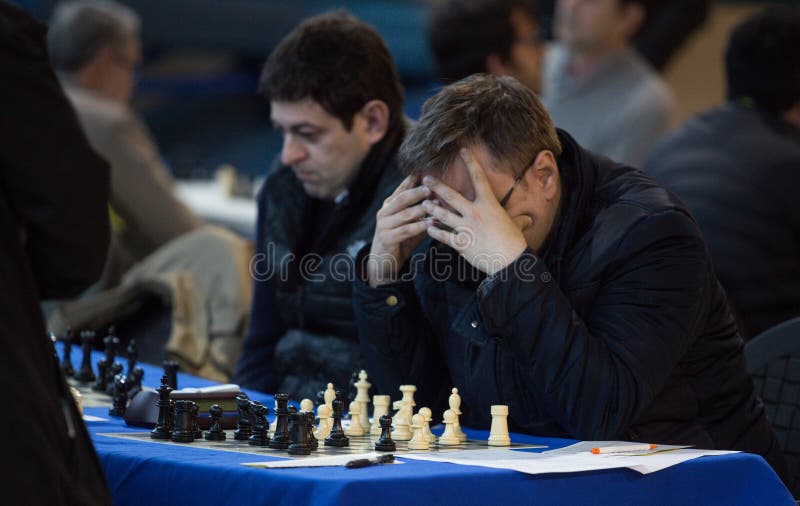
point(737, 168)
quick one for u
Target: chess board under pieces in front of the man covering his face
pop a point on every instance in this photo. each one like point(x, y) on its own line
point(358, 444)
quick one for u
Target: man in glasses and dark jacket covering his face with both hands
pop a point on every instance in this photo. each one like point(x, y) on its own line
point(574, 290)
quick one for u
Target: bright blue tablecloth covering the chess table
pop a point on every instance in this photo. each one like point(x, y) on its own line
point(144, 473)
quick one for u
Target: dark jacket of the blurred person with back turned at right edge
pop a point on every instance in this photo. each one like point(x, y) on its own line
point(738, 171)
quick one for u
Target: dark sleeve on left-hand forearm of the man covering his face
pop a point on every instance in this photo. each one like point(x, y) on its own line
point(397, 340)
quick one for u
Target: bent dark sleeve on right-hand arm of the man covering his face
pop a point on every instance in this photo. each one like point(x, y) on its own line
point(595, 375)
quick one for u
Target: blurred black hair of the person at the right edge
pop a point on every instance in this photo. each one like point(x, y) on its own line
point(763, 59)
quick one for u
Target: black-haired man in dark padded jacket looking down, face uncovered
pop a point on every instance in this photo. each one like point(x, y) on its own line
point(335, 97)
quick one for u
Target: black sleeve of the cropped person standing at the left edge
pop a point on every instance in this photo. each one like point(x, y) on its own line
point(57, 186)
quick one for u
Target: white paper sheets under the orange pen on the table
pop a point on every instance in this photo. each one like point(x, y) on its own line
point(549, 462)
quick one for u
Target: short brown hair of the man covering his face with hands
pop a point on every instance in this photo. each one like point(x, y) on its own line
point(498, 112)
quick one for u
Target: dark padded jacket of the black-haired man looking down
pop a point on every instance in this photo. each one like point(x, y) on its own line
point(303, 269)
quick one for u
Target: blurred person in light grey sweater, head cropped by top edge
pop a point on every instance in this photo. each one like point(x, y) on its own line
point(597, 87)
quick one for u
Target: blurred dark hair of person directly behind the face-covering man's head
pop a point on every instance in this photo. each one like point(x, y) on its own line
point(463, 33)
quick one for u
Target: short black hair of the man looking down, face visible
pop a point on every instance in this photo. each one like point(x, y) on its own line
point(339, 62)
